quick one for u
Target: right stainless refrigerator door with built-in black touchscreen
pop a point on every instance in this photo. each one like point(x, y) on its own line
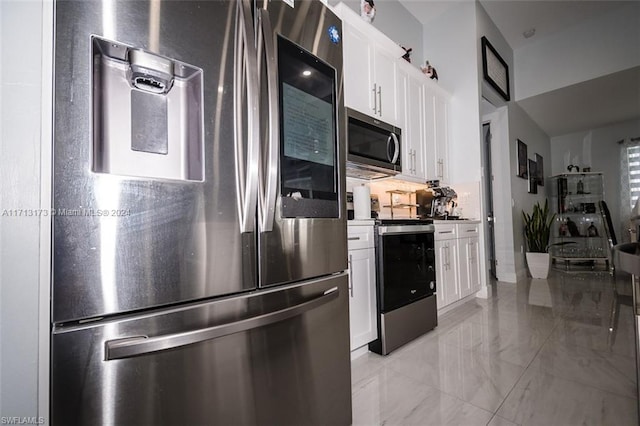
point(302, 214)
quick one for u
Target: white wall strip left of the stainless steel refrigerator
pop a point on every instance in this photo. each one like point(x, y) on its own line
point(23, 321)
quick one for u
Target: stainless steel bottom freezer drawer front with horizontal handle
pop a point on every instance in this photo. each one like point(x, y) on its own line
point(278, 357)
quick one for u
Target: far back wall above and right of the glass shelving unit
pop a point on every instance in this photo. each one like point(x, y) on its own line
point(598, 149)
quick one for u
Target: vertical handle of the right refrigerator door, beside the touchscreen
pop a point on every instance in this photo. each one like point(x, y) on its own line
point(270, 175)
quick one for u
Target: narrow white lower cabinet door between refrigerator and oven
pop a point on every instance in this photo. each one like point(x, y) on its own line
point(362, 300)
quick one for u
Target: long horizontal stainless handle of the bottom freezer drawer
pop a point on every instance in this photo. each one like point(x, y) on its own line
point(134, 346)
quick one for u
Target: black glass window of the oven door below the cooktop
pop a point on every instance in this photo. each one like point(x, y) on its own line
point(408, 268)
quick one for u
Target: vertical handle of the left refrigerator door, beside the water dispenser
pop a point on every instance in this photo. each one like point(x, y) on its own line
point(244, 77)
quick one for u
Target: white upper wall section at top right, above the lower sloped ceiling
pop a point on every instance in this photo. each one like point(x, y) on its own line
point(597, 47)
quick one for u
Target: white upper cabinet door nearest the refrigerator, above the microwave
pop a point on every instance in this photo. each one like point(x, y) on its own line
point(358, 70)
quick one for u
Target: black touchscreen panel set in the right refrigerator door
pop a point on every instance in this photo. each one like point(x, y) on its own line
point(308, 140)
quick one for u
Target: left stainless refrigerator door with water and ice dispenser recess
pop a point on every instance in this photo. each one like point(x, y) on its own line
point(155, 170)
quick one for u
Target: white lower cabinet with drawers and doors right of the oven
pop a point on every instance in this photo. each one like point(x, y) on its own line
point(457, 261)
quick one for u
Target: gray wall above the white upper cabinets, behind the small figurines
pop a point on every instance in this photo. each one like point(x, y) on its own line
point(393, 19)
